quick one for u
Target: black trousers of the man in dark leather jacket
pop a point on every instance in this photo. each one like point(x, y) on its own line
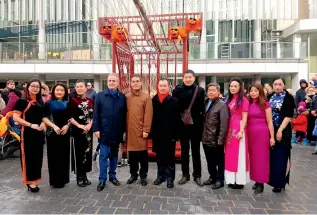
point(215, 157)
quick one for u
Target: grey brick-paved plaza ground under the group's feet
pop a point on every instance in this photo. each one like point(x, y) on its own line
point(300, 196)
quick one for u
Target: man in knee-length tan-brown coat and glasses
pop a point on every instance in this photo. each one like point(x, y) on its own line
point(139, 120)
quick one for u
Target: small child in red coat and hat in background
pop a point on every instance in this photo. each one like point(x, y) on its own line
point(300, 125)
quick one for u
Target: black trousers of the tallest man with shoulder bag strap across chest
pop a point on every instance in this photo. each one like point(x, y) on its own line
point(190, 139)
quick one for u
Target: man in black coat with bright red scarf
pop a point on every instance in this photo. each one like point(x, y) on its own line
point(165, 115)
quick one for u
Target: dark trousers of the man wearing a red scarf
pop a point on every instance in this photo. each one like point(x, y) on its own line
point(165, 160)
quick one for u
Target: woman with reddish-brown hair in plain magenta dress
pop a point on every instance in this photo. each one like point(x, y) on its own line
point(260, 132)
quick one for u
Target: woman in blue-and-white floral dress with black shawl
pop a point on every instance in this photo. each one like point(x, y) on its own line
point(283, 106)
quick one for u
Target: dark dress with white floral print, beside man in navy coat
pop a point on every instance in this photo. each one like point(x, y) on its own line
point(81, 110)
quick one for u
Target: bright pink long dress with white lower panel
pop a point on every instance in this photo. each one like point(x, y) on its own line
point(236, 151)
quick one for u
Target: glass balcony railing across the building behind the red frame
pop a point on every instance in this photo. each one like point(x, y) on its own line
point(99, 53)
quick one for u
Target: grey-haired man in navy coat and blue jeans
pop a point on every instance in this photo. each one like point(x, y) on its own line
point(109, 125)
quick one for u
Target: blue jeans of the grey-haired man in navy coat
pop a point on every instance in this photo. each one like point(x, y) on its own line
point(106, 153)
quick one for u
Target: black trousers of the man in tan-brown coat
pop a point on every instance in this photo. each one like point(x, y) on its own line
point(136, 158)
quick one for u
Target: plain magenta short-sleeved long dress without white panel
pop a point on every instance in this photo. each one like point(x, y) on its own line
point(259, 144)
